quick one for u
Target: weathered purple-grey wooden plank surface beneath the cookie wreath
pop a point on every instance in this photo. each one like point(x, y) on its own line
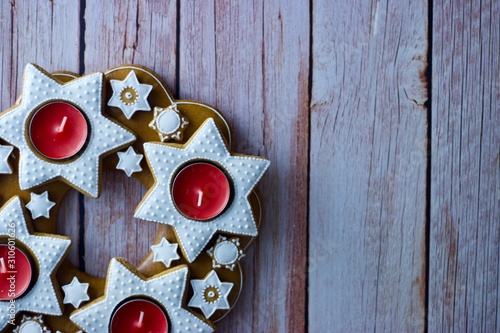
point(335, 95)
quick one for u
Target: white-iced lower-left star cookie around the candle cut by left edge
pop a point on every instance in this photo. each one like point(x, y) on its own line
point(48, 251)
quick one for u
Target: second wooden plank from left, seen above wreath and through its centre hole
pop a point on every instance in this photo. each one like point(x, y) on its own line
point(116, 33)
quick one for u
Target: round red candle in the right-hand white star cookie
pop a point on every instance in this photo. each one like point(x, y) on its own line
point(201, 191)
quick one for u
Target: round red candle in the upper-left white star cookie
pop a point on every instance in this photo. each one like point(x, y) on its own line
point(58, 130)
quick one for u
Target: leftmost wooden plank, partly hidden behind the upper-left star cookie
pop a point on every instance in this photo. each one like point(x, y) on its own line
point(46, 33)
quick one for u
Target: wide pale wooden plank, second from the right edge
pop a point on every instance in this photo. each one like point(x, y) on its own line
point(368, 167)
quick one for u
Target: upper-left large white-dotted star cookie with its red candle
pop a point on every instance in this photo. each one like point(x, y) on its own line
point(71, 115)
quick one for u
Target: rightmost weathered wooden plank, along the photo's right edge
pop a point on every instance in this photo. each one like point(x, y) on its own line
point(464, 276)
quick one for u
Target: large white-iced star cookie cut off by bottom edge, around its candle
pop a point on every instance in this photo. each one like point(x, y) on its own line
point(167, 289)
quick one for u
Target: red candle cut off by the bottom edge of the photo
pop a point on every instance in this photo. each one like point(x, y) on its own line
point(139, 316)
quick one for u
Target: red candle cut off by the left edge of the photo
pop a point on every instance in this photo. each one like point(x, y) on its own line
point(15, 272)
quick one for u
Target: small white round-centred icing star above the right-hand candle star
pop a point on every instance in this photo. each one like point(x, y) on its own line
point(169, 123)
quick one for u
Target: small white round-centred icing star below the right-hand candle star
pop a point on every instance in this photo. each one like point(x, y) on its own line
point(226, 252)
